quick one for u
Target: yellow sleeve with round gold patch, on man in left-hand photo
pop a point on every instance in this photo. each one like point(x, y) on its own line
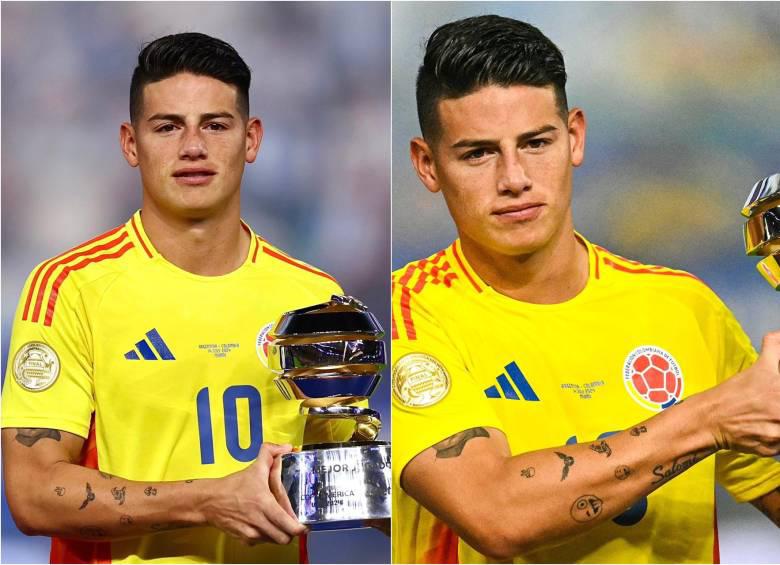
point(48, 381)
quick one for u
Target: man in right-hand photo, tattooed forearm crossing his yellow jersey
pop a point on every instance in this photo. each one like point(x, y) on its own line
point(537, 376)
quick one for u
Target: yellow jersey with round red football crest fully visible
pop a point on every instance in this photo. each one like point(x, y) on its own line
point(637, 339)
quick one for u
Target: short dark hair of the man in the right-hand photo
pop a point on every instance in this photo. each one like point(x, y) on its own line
point(466, 55)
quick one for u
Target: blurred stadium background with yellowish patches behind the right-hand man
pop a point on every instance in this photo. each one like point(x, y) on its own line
point(684, 116)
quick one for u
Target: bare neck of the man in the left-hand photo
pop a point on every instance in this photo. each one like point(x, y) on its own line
point(211, 246)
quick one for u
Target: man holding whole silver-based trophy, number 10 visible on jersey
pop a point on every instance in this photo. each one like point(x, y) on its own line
point(138, 421)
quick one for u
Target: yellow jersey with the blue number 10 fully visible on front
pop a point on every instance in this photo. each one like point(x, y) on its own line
point(162, 369)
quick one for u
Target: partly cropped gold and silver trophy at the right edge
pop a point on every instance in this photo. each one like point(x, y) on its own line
point(762, 230)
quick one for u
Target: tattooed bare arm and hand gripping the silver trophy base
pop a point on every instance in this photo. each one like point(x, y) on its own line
point(50, 495)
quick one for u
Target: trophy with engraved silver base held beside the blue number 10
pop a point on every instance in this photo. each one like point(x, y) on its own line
point(329, 358)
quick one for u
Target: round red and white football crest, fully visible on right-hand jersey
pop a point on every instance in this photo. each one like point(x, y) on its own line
point(653, 378)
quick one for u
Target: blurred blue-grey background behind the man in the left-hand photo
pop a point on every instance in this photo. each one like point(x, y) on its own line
point(319, 190)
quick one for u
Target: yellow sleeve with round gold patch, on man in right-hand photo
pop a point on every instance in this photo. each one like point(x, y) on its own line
point(434, 395)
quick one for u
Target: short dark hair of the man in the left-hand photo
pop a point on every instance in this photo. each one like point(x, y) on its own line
point(194, 53)
